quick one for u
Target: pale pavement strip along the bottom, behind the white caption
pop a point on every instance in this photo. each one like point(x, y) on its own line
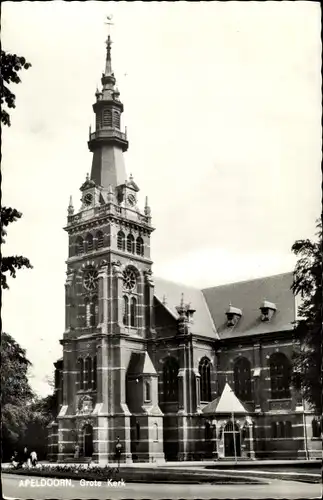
point(18, 488)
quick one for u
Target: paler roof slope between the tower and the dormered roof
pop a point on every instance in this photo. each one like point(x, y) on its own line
point(170, 293)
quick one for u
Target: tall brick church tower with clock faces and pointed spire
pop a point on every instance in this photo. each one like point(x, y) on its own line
point(109, 384)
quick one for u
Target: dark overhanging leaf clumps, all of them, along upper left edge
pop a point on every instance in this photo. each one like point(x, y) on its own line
point(10, 65)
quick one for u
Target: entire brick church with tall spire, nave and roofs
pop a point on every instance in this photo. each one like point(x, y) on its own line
point(172, 372)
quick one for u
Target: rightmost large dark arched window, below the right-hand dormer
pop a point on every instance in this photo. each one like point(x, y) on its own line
point(280, 376)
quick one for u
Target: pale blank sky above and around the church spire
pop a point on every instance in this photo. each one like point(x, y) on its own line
point(223, 113)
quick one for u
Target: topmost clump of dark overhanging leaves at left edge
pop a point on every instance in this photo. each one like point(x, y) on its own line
point(11, 64)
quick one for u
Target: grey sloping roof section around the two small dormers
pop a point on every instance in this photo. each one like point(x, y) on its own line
point(248, 296)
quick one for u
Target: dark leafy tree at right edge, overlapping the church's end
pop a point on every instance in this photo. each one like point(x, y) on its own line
point(308, 284)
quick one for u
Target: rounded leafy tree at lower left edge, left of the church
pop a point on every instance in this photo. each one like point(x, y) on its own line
point(16, 393)
